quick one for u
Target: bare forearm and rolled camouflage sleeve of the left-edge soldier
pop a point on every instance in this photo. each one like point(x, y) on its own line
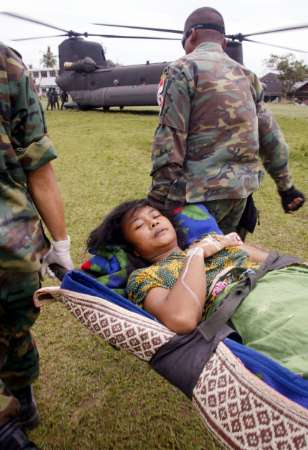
point(34, 149)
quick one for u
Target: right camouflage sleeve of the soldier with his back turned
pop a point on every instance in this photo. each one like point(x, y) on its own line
point(273, 147)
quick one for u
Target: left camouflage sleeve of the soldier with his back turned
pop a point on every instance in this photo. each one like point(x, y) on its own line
point(169, 146)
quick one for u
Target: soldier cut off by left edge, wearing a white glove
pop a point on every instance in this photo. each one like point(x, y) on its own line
point(28, 188)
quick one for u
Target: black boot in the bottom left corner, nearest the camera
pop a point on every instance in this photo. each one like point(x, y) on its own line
point(13, 438)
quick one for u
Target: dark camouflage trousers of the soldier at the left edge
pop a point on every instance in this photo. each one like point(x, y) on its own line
point(19, 361)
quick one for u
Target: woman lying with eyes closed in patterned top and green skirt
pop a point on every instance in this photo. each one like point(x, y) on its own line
point(182, 287)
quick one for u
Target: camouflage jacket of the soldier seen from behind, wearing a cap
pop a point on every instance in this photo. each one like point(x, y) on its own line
point(213, 130)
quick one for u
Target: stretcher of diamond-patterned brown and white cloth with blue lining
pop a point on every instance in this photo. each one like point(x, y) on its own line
point(246, 400)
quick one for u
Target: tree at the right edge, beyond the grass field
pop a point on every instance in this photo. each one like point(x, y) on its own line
point(290, 70)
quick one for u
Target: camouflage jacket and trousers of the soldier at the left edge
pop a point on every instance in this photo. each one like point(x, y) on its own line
point(24, 147)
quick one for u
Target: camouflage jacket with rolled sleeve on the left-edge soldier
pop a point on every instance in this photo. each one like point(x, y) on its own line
point(24, 147)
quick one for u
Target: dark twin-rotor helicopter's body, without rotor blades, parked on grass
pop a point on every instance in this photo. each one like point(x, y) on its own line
point(92, 84)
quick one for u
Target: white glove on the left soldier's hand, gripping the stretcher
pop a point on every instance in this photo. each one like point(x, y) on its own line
point(58, 253)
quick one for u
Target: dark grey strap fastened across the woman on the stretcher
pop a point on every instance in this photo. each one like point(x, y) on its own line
point(181, 360)
